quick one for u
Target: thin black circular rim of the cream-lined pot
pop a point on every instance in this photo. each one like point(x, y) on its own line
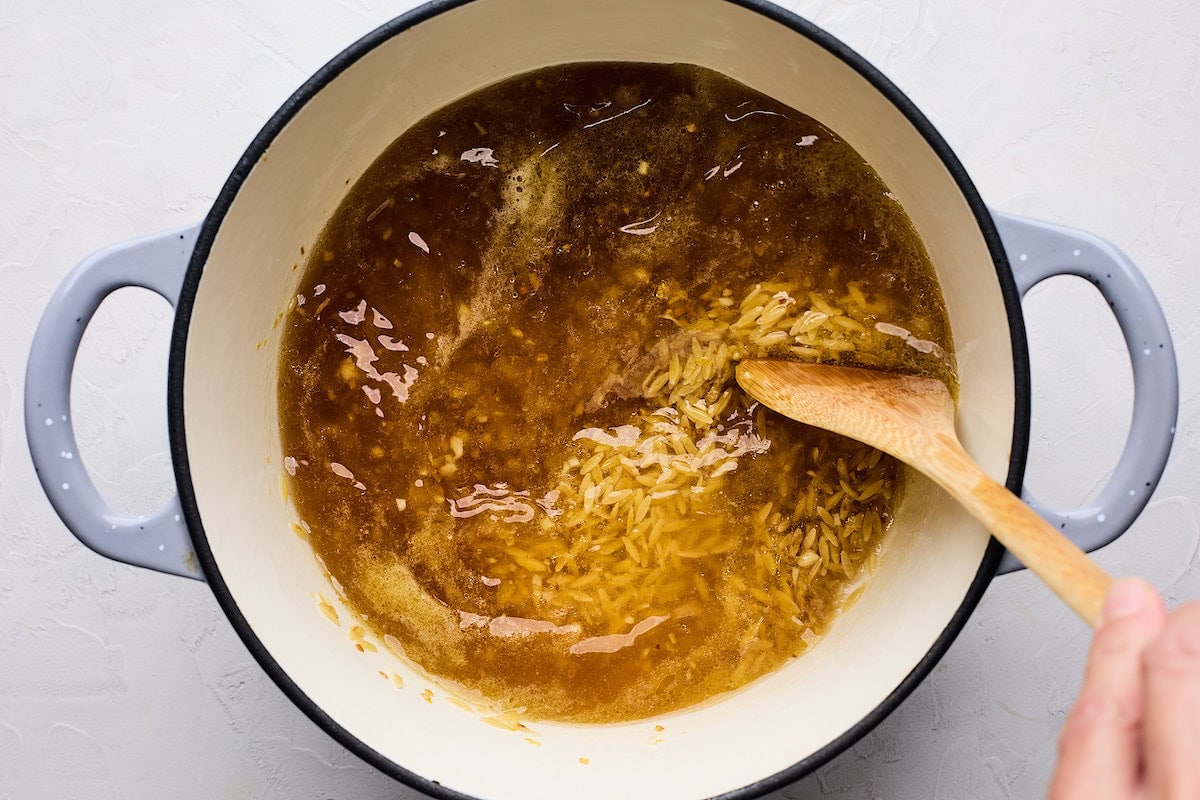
point(259, 147)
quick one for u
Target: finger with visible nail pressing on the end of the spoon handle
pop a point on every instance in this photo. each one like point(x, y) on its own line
point(1101, 743)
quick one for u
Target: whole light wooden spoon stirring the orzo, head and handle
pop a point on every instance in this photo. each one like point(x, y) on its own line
point(913, 419)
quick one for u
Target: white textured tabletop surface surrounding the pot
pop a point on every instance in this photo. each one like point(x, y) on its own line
point(124, 118)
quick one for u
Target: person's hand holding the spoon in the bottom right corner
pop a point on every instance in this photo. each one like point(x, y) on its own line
point(1135, 732)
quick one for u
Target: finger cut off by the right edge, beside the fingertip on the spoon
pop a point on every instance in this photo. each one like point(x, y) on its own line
point(1173, 708)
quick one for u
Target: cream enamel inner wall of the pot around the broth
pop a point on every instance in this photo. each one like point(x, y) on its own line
point(235, 448)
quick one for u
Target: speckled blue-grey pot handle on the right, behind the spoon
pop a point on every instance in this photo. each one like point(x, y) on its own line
point(1039, 251)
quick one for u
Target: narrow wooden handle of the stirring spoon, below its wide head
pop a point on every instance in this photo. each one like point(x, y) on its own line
point(1054, 558)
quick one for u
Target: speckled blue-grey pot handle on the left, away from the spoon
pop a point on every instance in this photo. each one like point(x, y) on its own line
point(159, 542)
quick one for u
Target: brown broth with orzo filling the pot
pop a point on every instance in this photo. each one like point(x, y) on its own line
point(508, 405)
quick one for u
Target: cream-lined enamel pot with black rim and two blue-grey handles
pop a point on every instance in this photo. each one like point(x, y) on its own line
point(232, 276)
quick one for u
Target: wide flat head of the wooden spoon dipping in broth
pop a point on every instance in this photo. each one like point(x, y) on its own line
point(898, 414)
